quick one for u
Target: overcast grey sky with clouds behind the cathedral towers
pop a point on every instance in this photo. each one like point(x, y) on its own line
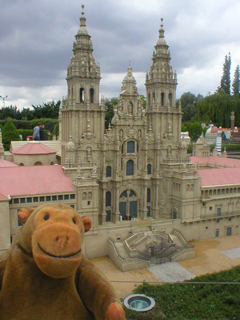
point(36, 39)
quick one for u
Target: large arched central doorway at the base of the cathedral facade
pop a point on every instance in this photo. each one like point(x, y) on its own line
point(128, 204)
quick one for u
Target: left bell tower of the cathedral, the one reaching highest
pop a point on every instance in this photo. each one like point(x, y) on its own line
point(81, 113)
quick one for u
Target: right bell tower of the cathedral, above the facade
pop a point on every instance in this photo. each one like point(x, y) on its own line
point(161, 83)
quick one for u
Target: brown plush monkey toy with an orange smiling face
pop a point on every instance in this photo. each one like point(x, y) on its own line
point(45, 276)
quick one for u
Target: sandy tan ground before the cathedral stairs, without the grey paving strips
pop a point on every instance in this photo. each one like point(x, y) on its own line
point(208, 259)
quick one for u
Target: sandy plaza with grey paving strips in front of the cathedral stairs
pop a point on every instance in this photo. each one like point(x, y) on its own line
point(210, 256)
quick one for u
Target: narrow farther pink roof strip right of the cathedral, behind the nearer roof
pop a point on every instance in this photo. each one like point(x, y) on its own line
point(219, 161)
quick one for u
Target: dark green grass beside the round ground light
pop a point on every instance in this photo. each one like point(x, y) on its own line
point(191, 301)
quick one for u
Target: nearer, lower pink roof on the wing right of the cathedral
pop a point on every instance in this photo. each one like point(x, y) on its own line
point(218, 177)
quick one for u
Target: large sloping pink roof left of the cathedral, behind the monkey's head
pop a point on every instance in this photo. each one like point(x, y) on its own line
point(16, 181)
